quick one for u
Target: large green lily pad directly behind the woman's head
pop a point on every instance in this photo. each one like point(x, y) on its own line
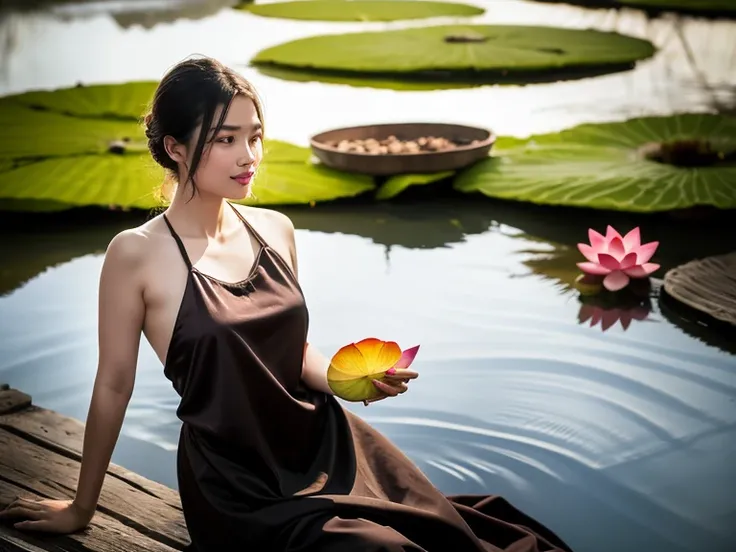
point(85, 146)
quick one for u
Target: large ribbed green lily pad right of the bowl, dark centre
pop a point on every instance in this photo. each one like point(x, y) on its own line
point(645, 164)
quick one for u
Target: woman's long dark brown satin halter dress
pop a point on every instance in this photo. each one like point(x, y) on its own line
point(268, 464)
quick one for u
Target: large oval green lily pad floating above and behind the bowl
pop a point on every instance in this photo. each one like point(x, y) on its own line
point(453, 50)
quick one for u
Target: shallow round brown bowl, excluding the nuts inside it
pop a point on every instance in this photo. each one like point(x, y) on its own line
point(401, 163)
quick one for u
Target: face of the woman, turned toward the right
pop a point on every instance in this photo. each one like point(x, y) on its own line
point(231, 157)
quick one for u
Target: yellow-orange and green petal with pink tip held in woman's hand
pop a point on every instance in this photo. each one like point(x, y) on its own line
point(354, 366)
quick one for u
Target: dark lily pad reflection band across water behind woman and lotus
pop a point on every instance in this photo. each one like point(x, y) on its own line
point(544, 240)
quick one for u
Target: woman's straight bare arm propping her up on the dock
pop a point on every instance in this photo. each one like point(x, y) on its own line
point(121, 311)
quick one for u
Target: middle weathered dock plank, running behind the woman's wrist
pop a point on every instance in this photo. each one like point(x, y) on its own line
point(32, 467)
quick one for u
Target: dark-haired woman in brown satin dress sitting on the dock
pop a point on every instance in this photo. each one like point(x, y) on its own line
point(268, 459)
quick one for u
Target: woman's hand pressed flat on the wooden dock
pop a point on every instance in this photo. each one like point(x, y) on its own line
point(51, 516)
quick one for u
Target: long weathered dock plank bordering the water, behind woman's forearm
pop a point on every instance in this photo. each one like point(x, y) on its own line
point(66, 435)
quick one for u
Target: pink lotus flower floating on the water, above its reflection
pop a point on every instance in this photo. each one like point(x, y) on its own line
point(617, 258)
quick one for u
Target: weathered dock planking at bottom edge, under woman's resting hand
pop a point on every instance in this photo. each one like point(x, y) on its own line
point(104, 533)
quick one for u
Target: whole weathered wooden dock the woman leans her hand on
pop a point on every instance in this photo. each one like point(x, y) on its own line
point(40, 453)
